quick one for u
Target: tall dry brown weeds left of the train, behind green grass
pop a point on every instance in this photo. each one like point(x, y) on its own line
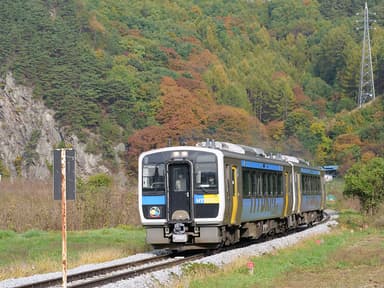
point(26, 205)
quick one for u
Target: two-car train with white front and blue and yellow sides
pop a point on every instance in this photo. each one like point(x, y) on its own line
point(216, 193)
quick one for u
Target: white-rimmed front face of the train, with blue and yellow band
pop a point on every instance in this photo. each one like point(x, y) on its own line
point(181, 197)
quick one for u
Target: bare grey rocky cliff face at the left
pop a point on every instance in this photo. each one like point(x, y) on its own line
point(29, 133)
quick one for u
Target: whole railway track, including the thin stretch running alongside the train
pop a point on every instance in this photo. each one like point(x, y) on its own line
point(114, 273)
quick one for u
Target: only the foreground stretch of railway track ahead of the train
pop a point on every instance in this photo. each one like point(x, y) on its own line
point(110, 274)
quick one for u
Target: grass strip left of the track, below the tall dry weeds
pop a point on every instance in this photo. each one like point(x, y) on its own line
point(35, 251)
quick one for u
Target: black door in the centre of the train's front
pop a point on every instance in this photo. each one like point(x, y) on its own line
point(179, 192)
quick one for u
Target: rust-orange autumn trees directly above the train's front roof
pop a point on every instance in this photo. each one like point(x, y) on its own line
point(190, 117)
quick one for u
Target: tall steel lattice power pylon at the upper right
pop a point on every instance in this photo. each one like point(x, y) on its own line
point(367, 85)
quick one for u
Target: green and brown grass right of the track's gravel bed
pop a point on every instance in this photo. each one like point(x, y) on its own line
point(311, 263)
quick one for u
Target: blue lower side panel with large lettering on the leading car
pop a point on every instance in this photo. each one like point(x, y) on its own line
point(261, 208)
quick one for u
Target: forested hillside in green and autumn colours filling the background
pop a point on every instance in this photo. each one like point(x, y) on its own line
point(279, 74)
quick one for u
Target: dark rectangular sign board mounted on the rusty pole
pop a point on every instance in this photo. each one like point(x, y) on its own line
point(70, 174)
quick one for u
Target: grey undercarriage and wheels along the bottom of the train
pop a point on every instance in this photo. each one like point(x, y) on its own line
point(187, 236)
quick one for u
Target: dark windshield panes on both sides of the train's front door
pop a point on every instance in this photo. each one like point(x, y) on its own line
point(204, 171)
